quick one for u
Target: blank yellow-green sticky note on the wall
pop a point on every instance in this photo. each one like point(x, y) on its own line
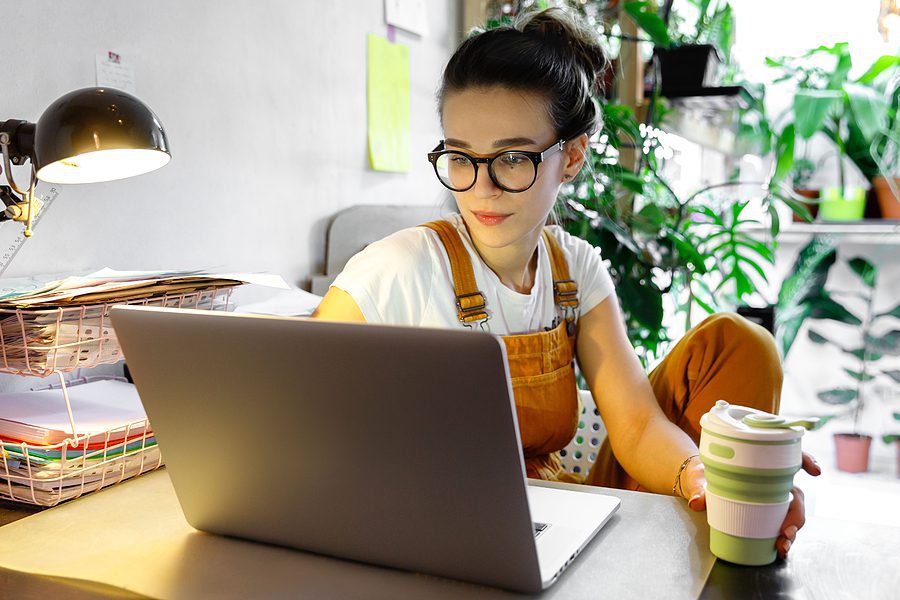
point(388, 95)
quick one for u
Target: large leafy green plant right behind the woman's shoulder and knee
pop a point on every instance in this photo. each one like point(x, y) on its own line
point(695, 250)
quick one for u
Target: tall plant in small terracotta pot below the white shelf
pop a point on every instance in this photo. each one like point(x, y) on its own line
point(803, 296)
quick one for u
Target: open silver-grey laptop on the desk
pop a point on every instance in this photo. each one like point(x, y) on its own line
point(388, 445)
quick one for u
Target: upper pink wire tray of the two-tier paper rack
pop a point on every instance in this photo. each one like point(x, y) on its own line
point(41, 342)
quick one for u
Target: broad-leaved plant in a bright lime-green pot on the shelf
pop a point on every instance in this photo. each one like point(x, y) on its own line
point(858, 116)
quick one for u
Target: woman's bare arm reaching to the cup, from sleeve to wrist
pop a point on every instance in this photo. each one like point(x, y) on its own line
point(644, 441)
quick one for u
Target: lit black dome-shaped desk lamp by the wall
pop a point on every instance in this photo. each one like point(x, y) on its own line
point(89, 135)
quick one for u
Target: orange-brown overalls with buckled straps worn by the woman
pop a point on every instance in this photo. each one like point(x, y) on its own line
point(724, 357)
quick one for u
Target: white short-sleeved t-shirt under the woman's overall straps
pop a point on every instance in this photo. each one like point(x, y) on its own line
point(405, 279)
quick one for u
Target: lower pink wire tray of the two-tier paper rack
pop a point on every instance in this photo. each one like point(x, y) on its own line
point(46, 475)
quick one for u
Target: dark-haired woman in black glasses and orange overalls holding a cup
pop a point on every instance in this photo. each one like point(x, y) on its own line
point(516, 108)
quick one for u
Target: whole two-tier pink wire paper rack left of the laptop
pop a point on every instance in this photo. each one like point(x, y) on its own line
point(55, 341)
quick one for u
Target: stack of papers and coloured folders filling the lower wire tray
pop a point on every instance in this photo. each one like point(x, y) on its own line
point(42, 461)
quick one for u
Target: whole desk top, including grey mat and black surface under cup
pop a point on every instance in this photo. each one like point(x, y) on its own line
point(652, 548)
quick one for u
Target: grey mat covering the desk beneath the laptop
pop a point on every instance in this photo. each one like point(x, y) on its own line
point(132, 540)
